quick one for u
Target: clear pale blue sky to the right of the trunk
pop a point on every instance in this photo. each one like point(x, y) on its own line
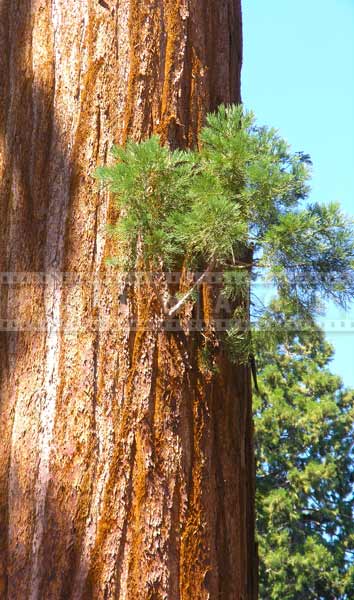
point(298, 76)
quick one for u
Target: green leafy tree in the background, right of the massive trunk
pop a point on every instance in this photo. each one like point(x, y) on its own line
point(305, 494)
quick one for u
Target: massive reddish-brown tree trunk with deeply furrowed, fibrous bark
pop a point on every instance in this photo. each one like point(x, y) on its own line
point(126, 471)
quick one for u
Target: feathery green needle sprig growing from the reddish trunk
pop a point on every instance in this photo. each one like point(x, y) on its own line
point(235, 205)
